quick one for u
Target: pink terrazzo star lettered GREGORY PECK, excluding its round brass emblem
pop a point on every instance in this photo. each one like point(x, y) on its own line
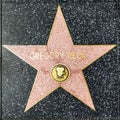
point(60, 49)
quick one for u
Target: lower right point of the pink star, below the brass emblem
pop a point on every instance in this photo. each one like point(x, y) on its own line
point(77, 86)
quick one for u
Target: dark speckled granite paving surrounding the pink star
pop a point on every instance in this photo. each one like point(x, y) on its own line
point(28, 22)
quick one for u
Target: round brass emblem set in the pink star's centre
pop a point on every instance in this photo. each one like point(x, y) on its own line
point(60, 73)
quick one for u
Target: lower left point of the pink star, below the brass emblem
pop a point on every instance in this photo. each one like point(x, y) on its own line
point(42, 87)
